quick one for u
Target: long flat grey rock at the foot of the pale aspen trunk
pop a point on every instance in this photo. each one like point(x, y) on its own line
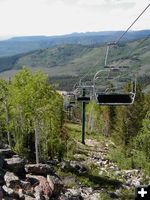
point(39, 169)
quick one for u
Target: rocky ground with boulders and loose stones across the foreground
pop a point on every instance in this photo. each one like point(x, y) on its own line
point(90, 175)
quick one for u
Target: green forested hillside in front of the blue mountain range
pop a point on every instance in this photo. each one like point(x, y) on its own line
point(65, 64)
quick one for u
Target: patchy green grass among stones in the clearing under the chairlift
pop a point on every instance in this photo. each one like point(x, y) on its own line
point(92, 177)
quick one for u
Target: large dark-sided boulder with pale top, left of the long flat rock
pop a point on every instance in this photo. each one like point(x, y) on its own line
point(15, 164)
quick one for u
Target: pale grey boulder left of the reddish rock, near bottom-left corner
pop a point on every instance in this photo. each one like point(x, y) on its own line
point(11, 180)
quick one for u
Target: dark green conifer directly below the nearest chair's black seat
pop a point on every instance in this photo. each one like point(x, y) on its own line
point(129, 120)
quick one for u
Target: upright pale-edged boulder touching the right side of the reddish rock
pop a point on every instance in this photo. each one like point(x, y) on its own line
point(55, 183)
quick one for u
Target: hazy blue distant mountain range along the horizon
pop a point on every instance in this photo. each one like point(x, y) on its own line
point(18, 45)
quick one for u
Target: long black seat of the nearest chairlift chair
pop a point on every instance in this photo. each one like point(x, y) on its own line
point(115, 98)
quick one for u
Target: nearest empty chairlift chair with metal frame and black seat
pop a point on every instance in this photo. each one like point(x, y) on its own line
point(112, 92)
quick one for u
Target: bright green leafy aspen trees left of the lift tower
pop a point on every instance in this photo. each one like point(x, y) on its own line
point(34, 113)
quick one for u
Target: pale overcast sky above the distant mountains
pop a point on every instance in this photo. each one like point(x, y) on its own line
point(59, 17)
